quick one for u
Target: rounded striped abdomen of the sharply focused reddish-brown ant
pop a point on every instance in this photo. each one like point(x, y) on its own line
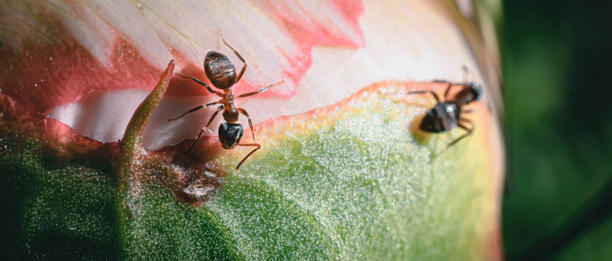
point(219, 70)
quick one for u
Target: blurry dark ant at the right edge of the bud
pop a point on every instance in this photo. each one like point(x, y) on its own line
point(446, 115)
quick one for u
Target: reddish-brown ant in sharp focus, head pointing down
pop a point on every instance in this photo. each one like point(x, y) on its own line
point(222, 74)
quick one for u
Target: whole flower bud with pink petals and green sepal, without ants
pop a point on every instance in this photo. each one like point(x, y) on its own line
point(344, 171)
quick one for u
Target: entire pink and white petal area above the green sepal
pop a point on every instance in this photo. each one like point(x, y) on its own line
point(94, 86)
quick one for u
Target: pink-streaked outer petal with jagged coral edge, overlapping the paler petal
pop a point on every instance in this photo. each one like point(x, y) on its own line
point(60, 51)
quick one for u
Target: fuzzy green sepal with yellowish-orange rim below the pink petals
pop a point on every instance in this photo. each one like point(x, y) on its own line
point(345, 182)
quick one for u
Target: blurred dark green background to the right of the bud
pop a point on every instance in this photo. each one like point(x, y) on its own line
point(557, 68)
